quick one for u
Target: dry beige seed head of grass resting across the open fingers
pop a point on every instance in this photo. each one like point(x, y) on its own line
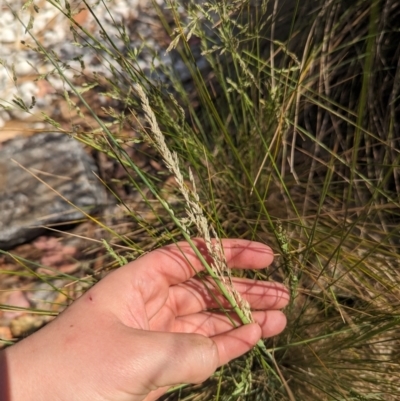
point(195, 214)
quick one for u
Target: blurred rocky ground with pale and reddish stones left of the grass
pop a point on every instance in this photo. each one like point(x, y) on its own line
point(54, 206)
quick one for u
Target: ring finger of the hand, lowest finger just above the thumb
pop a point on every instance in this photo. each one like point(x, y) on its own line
point(211, 324)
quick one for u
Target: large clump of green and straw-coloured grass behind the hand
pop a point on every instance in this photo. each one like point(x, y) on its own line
point(287, 114)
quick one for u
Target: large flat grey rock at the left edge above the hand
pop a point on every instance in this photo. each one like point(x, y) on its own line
point(27, 205)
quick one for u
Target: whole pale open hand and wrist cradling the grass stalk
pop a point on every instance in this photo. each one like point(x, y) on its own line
point(142, 329)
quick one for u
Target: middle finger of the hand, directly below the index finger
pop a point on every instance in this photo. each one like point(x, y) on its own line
point(197, 295)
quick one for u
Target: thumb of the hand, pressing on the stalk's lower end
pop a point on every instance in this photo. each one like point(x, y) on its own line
point(193, 358)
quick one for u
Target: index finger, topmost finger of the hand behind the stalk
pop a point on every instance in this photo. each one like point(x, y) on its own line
point(178, 262)
